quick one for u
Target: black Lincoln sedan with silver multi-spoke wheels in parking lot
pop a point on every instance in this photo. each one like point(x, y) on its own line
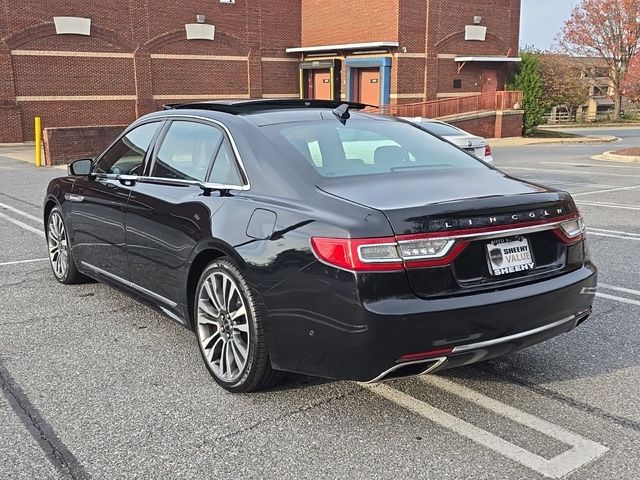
point(308, 236)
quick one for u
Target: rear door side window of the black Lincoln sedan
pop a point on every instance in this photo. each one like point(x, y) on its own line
point(187, 151)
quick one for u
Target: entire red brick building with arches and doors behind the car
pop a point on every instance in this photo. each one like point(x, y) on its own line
point(104, 63)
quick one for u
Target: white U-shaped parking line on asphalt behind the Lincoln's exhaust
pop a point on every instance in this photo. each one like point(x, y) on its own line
point(582, 452)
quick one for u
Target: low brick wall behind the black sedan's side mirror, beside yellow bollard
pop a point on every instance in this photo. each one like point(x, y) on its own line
point(63, 145)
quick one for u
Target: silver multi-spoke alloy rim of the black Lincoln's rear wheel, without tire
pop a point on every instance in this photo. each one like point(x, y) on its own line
point(223, 326)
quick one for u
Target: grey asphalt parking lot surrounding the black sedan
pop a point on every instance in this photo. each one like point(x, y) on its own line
point(96, 385)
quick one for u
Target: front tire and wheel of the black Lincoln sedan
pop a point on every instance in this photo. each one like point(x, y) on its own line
point(61, 258)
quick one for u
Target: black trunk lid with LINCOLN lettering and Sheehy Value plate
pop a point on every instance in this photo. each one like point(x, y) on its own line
point(457, 203)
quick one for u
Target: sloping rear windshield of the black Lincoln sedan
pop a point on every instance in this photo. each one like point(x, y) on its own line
point(368, 148)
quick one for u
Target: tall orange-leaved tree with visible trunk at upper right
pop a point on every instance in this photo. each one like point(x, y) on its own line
point(608, 29)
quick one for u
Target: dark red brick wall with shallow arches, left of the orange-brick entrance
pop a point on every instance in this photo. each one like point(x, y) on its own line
point(137, 58)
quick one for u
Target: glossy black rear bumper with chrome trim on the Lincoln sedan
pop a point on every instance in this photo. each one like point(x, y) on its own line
point(366, 342)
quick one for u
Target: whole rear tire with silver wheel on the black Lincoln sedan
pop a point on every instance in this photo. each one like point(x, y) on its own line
point(228, 327)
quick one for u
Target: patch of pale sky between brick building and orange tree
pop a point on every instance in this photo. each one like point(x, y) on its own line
point(542, 20)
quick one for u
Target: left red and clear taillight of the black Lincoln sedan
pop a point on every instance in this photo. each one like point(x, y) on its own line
point(376, 254)
